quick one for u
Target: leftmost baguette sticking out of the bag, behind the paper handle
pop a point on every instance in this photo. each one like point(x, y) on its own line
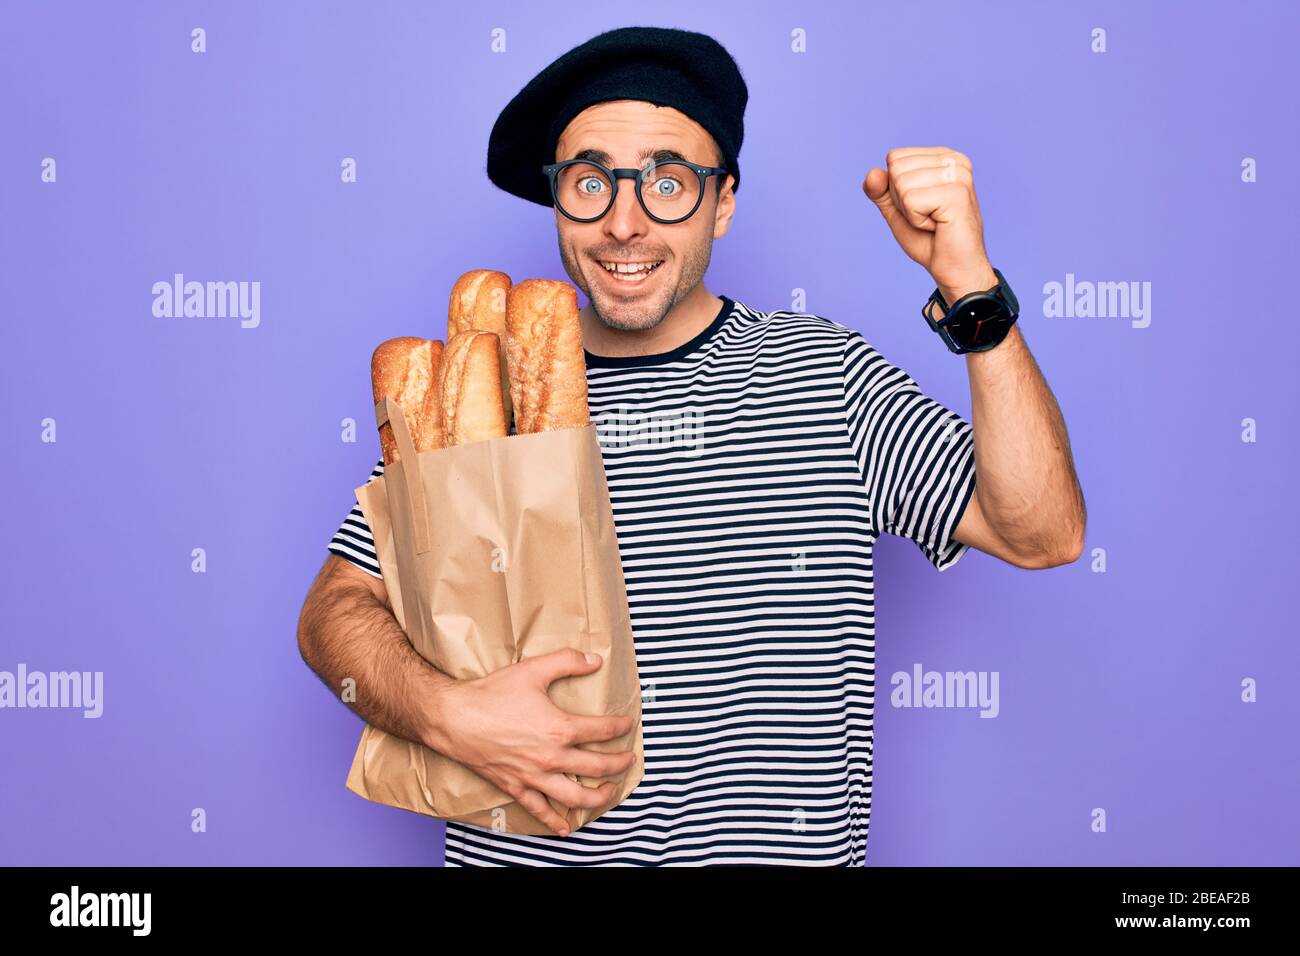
point(406, 370)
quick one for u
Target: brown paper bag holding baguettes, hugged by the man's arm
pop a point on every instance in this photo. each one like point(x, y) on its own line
point(495, 552)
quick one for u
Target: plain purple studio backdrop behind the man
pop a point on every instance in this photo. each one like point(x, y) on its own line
point(1119, 690)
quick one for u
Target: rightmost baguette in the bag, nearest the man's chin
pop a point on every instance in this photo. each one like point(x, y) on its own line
point(544, 351)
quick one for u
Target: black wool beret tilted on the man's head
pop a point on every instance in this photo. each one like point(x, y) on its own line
point(671, 68)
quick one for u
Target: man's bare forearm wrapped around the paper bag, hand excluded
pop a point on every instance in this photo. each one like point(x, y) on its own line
point(346, 633)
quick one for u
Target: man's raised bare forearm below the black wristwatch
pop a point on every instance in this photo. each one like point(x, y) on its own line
point(1026, 482)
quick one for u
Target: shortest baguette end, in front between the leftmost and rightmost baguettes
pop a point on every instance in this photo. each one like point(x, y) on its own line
point(470, 388)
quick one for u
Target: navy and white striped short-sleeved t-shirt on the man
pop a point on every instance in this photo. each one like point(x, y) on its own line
point(751, 471)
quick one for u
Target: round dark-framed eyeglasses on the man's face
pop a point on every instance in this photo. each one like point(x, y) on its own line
point(584, 192)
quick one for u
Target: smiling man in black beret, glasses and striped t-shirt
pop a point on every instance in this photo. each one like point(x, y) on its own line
point(753, 458)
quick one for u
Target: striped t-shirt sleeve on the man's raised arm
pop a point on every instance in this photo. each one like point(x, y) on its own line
point(917, 457)
